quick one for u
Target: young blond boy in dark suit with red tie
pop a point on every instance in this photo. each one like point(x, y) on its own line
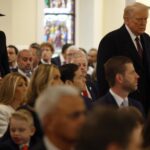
point(21, 131)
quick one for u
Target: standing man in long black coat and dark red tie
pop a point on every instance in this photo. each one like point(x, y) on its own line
point(122, 42)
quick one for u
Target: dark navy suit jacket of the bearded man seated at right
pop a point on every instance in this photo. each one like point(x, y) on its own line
point(109, 100)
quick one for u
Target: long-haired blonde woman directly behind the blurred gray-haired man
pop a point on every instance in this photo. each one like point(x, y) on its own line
point(43, 76)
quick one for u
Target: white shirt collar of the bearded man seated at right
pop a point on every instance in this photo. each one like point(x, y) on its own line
point(119, 100)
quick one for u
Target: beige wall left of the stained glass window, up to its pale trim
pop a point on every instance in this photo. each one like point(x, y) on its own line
point(20, 21)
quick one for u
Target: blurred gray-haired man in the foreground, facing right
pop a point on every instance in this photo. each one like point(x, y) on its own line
point(61, 111)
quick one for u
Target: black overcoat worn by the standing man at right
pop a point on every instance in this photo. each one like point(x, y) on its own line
point(119, 43)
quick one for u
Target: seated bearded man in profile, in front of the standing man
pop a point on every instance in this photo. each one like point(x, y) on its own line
point(122, 79)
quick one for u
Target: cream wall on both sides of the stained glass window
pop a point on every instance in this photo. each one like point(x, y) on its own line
point(94, 18)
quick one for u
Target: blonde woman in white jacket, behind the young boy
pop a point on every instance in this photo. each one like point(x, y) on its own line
point(12, 94)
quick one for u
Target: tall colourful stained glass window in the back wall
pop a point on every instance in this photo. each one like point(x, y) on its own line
point(59, 22)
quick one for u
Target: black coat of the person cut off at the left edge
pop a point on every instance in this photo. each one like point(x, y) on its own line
point(4, 66)
